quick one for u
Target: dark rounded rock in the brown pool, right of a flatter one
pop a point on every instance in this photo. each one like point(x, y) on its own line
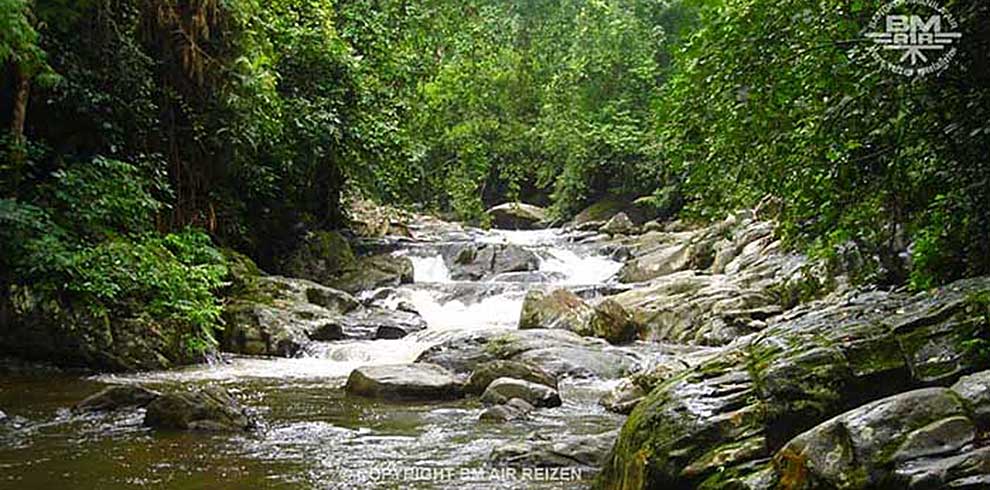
point(208, 409)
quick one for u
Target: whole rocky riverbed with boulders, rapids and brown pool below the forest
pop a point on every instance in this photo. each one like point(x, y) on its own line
point(617, 353)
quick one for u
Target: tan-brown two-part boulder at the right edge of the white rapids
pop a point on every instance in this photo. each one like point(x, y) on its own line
point(565, 310)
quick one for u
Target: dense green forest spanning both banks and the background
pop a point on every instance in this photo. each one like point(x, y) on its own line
point(146, 139)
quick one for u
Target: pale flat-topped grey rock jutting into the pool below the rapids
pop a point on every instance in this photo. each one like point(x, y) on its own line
point(421, 381)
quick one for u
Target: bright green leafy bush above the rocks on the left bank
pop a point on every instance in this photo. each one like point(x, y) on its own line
point(88, 242)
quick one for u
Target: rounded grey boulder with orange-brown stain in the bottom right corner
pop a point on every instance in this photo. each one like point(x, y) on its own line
point(863, 448)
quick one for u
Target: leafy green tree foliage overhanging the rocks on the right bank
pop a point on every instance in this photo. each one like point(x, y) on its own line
point(783, 99)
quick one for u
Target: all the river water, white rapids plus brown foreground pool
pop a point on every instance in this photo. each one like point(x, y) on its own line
point(313, 435)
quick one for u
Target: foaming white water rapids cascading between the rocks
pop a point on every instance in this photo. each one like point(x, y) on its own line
point(497, 305)
